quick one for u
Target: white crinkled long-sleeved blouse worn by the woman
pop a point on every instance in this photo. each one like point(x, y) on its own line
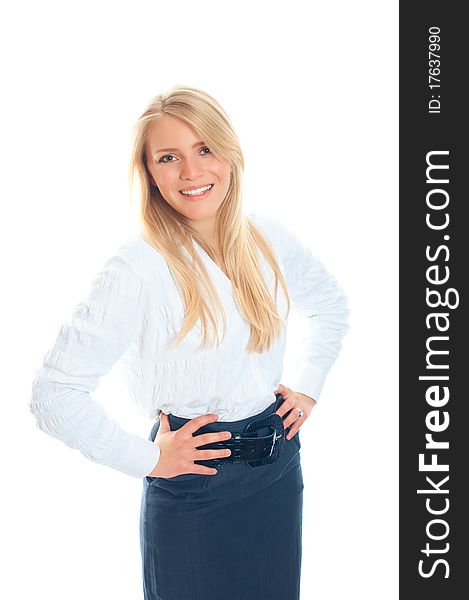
point(134, 308)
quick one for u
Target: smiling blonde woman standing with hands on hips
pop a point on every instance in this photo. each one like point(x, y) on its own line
point(194, 310)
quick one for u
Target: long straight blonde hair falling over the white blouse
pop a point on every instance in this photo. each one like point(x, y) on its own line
point(169, 231)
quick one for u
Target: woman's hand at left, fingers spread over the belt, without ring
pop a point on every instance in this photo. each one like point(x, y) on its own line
point(178, 449)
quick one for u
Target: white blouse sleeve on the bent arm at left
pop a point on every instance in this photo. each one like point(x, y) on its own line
point(88, 344)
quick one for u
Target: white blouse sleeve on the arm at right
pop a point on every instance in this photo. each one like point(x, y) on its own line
point(320, 300)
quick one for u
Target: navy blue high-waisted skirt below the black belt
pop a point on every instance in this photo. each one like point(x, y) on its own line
point(235, 535)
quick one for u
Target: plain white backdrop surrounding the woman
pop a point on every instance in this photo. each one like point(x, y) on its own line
point(311, 88)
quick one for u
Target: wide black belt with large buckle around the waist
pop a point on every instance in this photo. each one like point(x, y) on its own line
point(248, 445)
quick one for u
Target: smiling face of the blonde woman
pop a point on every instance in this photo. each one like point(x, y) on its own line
point(179, 161)
